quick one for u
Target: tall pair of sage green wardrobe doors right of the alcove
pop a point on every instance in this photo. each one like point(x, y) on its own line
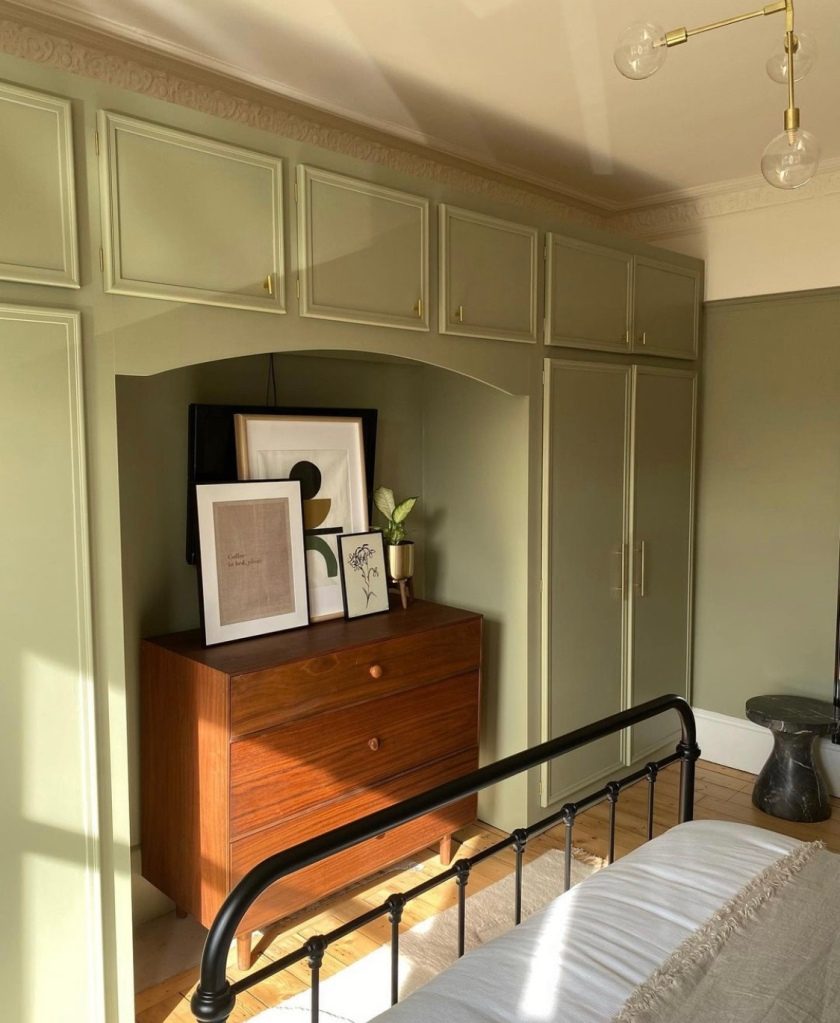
point(620, 455)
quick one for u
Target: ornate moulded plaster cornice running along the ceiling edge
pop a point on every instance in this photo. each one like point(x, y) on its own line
point(101, 53)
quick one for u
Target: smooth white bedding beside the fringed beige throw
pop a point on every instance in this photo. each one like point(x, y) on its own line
point(579, 960)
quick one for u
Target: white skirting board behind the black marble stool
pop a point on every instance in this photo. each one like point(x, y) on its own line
point(738, 743)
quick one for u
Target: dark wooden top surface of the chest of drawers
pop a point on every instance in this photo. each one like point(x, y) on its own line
point(245, 656)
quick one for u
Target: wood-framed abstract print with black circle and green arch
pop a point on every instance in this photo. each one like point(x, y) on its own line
point(327, 458)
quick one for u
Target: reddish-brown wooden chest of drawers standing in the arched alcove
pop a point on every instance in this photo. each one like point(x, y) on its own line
point(252, 747)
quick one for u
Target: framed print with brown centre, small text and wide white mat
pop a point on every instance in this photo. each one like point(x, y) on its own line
point(252, 561)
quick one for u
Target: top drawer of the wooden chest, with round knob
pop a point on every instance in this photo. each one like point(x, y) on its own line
point(263, 699)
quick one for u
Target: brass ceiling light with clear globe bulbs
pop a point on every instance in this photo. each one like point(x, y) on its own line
point(790, 159)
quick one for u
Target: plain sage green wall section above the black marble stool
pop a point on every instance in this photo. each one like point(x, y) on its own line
point(769, 501)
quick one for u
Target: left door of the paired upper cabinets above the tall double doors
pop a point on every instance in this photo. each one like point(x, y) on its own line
point(588, 296)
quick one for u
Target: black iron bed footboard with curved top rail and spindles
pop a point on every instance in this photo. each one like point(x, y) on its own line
point(215, 998)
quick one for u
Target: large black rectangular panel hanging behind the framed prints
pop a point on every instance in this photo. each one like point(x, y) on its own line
point(212, 450)
